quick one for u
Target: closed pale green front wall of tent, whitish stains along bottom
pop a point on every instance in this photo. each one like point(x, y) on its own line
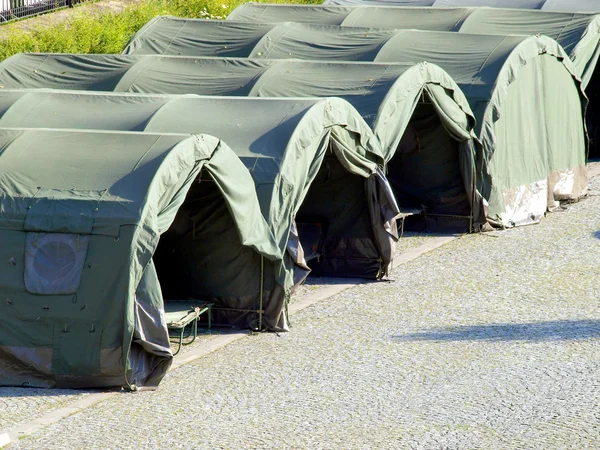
point(536, 162)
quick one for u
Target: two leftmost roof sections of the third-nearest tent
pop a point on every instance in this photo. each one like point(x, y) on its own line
point(151, 74)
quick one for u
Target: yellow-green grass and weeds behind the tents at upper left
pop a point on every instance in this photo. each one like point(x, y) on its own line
point(91, 31)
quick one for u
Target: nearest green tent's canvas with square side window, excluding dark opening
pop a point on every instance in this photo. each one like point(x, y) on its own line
point(81, 214)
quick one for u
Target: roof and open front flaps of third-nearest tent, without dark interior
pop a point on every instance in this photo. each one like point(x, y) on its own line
point(386, 95)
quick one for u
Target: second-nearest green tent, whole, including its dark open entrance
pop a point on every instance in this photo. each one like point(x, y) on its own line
point(315, 164)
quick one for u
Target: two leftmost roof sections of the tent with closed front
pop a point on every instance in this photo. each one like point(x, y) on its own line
point(165, 35)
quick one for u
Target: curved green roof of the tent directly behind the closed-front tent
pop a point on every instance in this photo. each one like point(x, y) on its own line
point(578, 34)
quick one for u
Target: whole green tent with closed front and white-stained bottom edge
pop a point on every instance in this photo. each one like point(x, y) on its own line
point(528, 165)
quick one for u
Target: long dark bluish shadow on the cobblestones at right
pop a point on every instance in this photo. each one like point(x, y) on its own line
point(561, 330)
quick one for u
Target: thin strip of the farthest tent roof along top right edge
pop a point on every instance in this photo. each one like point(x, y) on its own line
point(545, 5)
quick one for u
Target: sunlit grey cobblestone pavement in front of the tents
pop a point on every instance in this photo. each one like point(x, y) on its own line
point(492, 341)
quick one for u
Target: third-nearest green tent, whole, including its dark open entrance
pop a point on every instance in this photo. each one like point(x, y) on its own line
point(419, 100)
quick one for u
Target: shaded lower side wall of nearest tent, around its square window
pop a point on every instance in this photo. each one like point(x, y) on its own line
point(76, 340)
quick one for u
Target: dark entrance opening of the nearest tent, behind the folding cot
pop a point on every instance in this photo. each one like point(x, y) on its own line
point(201, 257)
